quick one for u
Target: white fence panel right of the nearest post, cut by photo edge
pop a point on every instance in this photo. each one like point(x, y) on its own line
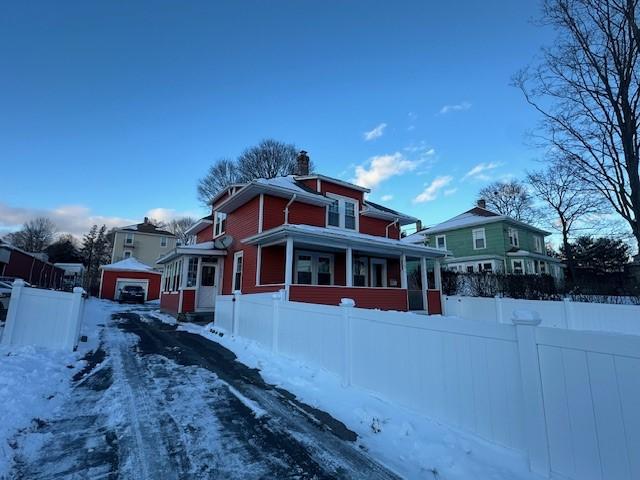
point(591, 389)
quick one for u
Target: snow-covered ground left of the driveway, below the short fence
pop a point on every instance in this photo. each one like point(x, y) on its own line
point(35, 382)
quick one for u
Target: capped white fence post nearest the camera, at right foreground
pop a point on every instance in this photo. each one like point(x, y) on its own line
point(534, 416)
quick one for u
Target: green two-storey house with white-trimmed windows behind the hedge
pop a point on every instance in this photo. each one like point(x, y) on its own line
point(481, 240)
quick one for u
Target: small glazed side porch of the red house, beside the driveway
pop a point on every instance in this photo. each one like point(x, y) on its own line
point(191, 279)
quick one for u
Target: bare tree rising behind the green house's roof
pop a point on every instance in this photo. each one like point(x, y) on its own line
point(509, 198)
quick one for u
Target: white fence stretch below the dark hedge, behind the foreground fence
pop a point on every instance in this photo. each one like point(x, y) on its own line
point(558, 314)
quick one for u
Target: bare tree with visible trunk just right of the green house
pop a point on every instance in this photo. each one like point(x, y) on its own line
point(559, 188)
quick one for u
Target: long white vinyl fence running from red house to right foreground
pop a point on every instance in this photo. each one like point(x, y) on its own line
point(567, 399)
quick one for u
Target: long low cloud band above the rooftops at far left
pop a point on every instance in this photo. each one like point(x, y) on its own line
point(74, 219)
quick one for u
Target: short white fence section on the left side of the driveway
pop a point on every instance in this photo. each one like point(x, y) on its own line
point(44, 318)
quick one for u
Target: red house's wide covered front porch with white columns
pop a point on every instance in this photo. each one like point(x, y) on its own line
point(319, 266)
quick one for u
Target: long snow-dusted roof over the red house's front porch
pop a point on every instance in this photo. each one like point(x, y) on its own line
point(342, 239)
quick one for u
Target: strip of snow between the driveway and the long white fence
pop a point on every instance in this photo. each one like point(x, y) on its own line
point(406, 442)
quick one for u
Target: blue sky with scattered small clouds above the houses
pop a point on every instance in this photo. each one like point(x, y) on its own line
point(112, 110)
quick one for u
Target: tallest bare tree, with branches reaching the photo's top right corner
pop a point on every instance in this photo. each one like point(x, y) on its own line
point(587, 89)
